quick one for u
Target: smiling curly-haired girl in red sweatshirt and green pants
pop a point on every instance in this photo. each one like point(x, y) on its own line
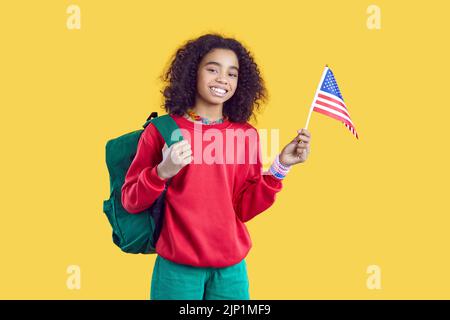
point(213, 88)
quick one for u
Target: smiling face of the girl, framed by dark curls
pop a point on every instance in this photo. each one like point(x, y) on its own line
point(217, 76)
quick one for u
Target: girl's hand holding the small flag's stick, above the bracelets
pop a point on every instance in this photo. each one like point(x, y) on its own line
point(297, 150)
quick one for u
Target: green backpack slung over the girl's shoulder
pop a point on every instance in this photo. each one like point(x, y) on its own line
point(134, 233)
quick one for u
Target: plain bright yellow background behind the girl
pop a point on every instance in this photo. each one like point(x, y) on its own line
point(380, 200)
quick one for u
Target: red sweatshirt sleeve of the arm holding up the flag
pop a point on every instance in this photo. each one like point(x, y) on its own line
point(258, 192)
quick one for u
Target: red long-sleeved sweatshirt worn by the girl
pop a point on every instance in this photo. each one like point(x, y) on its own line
point(207, 202)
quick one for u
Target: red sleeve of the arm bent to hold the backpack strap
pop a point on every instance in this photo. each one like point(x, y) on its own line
point(142, 184)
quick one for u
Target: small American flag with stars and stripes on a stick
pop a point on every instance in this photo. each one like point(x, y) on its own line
point(329, 101)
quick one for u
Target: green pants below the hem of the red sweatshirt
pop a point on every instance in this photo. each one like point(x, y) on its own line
point(173, 281)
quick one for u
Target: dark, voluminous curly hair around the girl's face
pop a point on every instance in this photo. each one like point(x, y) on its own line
point(181, 78)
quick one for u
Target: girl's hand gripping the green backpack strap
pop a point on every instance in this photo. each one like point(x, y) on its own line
point(174, 159)
